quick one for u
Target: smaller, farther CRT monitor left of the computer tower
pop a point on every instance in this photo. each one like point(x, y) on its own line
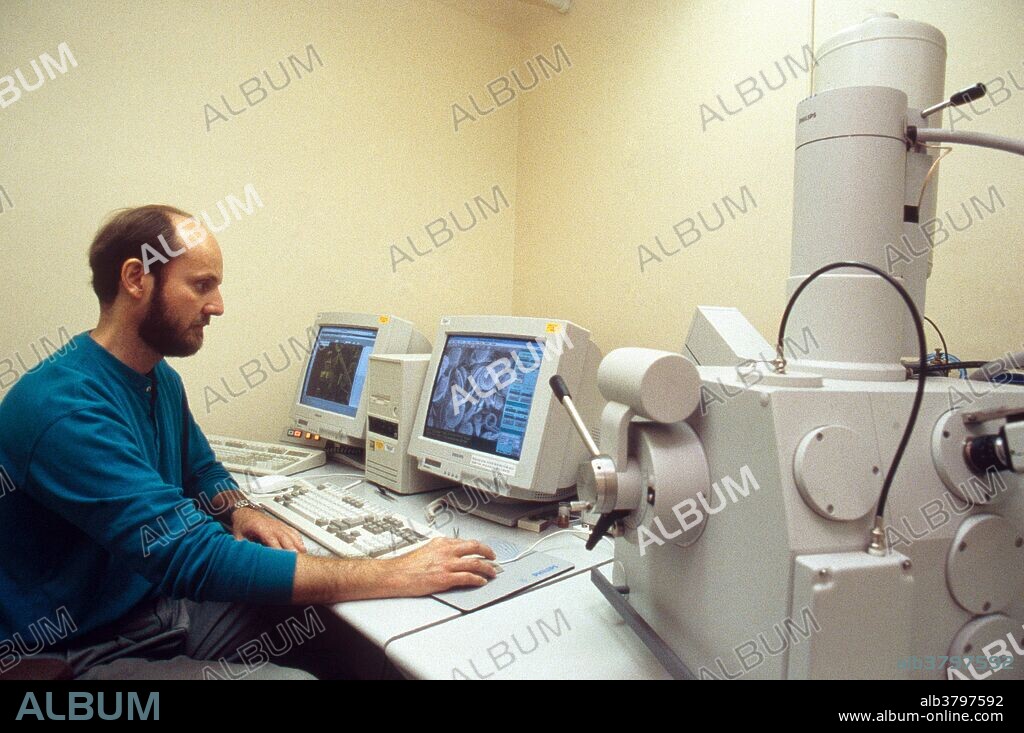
point(330, 403)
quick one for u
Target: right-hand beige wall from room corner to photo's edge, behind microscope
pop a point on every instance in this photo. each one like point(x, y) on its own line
point(620, 155)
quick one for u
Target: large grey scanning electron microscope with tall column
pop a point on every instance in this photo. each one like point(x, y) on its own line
point(825, 507)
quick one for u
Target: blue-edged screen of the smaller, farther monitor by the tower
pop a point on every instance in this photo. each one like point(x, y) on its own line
point(337, 369)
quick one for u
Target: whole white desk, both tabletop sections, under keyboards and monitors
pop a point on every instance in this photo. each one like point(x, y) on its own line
point(403, 636)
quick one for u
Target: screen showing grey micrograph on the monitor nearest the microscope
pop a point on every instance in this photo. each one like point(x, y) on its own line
point(483, 393)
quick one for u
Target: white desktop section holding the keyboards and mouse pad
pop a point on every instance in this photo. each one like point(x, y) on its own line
point(382, 622)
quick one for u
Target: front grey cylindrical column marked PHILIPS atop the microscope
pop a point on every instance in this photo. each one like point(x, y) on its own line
point(848, 205)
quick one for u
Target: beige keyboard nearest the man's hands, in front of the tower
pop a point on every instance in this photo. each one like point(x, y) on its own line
point(346, 524)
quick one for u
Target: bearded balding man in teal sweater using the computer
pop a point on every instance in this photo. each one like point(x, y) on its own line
point(102, 546)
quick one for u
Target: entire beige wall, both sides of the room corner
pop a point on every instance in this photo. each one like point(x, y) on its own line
point(596, 161)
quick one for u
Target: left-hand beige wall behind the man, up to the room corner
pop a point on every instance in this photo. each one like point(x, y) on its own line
point(352, 158)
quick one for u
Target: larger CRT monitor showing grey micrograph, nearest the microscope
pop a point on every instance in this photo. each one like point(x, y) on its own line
point(488, 418)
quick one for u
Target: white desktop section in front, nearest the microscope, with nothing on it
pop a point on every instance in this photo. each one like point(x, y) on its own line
point(566, 631)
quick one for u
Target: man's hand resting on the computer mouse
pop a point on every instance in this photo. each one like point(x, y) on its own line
point(440, 566)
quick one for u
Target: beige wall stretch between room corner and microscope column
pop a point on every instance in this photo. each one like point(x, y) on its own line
point(619, 157)
